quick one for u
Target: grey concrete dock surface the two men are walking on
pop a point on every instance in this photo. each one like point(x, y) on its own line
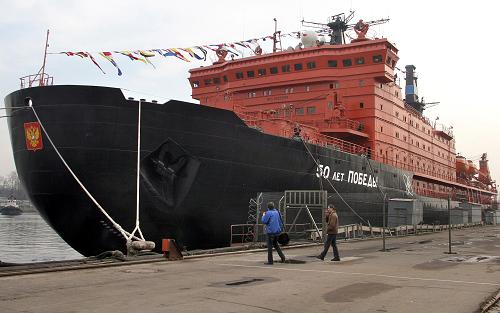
point(414, 275)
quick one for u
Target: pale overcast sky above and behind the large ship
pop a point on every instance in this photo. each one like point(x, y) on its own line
point(454, 46)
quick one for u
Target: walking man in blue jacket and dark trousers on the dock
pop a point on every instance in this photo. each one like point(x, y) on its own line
point(273, 222)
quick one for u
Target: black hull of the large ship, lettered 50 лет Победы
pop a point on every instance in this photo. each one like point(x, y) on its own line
point(199, 168)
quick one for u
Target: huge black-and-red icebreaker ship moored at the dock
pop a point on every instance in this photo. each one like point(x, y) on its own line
point(322, 115)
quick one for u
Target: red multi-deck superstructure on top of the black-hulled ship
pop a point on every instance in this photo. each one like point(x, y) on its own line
point(348, 96)
